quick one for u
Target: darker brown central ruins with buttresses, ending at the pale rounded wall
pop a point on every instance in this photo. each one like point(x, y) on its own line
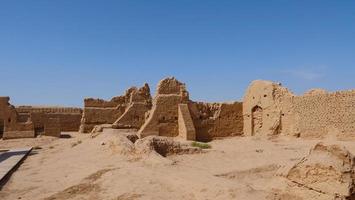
point(170, 113)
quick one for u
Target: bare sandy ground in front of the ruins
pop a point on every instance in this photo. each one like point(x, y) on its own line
point(81, 167)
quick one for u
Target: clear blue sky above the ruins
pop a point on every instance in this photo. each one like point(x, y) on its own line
point(58, 52)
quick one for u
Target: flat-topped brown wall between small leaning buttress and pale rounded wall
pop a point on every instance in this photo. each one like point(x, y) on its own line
point(215, 120)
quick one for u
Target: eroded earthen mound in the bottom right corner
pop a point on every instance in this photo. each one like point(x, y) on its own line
point(328, 169)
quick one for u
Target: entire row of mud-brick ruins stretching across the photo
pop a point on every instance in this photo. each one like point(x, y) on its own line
point(267, 109)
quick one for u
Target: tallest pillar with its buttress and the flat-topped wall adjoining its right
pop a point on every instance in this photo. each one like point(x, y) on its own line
point(174, 114)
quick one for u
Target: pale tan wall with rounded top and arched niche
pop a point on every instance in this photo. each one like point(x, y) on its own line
point(269, 108)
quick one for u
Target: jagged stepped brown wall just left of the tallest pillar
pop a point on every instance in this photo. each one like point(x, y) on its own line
point(122, 111)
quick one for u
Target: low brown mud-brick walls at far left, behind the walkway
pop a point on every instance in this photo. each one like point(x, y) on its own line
point(28, 121)
